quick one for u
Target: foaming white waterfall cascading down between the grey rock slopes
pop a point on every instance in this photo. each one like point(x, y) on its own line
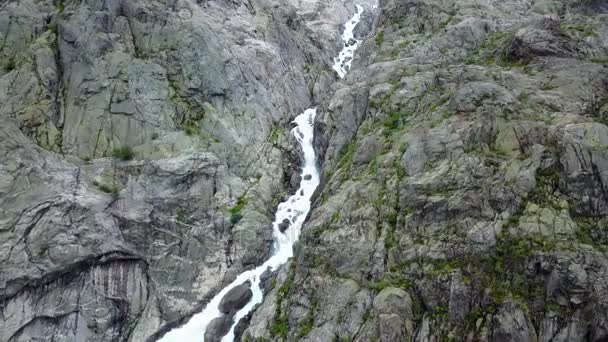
point(295, 209)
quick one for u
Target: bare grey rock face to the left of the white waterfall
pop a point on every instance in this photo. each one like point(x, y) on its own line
point(144, 147)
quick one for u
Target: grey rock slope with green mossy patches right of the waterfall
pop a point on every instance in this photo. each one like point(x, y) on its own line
point(464, 182)
